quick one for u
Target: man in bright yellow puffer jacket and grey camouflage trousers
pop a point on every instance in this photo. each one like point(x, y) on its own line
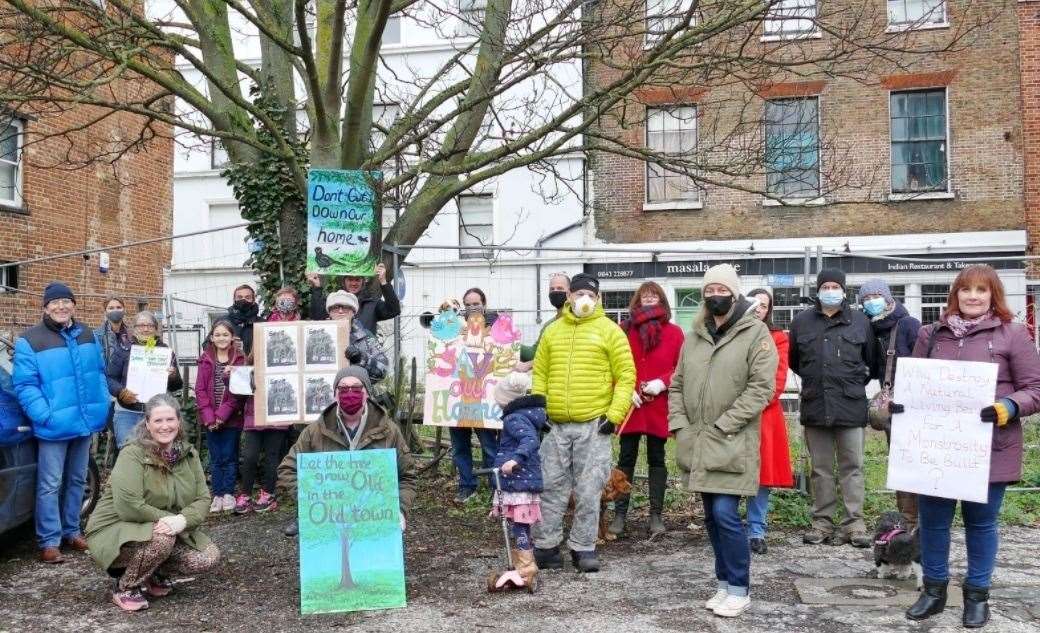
point(584, 367)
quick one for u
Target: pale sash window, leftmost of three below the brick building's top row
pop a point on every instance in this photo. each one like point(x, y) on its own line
point(671, 133)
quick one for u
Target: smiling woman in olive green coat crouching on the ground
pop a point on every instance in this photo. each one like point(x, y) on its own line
point(148, 523)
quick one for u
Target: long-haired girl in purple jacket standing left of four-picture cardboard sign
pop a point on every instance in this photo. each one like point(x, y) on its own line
point(221, 412)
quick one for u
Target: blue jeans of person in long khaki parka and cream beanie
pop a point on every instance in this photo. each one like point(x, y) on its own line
point(730, 541)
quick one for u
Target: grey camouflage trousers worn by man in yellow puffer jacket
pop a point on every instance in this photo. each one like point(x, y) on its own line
point(576, 459)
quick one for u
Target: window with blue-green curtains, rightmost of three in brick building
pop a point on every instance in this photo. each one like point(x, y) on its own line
point(919, 130)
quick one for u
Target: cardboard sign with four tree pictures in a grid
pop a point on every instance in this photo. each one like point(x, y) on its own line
point(295, 366)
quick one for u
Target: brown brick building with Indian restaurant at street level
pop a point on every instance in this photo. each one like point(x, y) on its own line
point(919, 156)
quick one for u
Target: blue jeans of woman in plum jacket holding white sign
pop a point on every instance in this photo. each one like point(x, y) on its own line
point(981, 536)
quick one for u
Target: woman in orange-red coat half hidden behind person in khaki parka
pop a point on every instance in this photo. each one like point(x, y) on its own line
point(775, 471)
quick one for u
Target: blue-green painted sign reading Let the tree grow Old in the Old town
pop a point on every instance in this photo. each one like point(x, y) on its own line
point(351, 551)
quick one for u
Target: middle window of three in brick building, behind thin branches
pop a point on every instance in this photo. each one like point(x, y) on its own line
point(793, 148)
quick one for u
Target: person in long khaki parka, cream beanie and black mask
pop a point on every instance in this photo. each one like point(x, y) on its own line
point(725, 379)
